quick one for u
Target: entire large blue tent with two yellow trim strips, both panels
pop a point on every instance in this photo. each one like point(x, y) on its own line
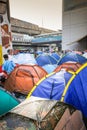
point(71, 89)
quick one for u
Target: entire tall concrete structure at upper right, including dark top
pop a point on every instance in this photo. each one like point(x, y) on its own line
point(74, 34)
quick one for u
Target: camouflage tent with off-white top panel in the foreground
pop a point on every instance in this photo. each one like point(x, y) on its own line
point(36, 113)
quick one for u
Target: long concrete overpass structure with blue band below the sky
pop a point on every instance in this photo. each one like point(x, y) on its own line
point(26, 35)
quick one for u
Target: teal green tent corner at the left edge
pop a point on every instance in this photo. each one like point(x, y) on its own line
point(7, 101)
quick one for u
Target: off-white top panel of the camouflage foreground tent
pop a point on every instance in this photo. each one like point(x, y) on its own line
point(34, 106)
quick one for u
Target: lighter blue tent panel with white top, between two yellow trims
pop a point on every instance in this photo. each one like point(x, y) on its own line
point(51, 87)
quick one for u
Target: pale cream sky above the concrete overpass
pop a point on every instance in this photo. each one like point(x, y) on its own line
point(44, 13)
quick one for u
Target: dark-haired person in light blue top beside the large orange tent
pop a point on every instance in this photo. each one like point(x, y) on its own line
point(8, 65)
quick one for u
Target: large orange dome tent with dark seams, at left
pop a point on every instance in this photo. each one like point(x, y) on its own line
point(23, 78)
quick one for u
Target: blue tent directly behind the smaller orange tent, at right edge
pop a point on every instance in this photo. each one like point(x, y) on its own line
point(71, 56)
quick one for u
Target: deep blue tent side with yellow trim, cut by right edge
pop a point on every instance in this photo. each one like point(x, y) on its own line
point(75, 92)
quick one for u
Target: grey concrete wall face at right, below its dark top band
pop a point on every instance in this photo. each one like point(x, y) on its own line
point(74, 28)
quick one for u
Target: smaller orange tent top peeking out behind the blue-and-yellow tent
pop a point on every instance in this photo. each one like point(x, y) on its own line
point(73, 66)
